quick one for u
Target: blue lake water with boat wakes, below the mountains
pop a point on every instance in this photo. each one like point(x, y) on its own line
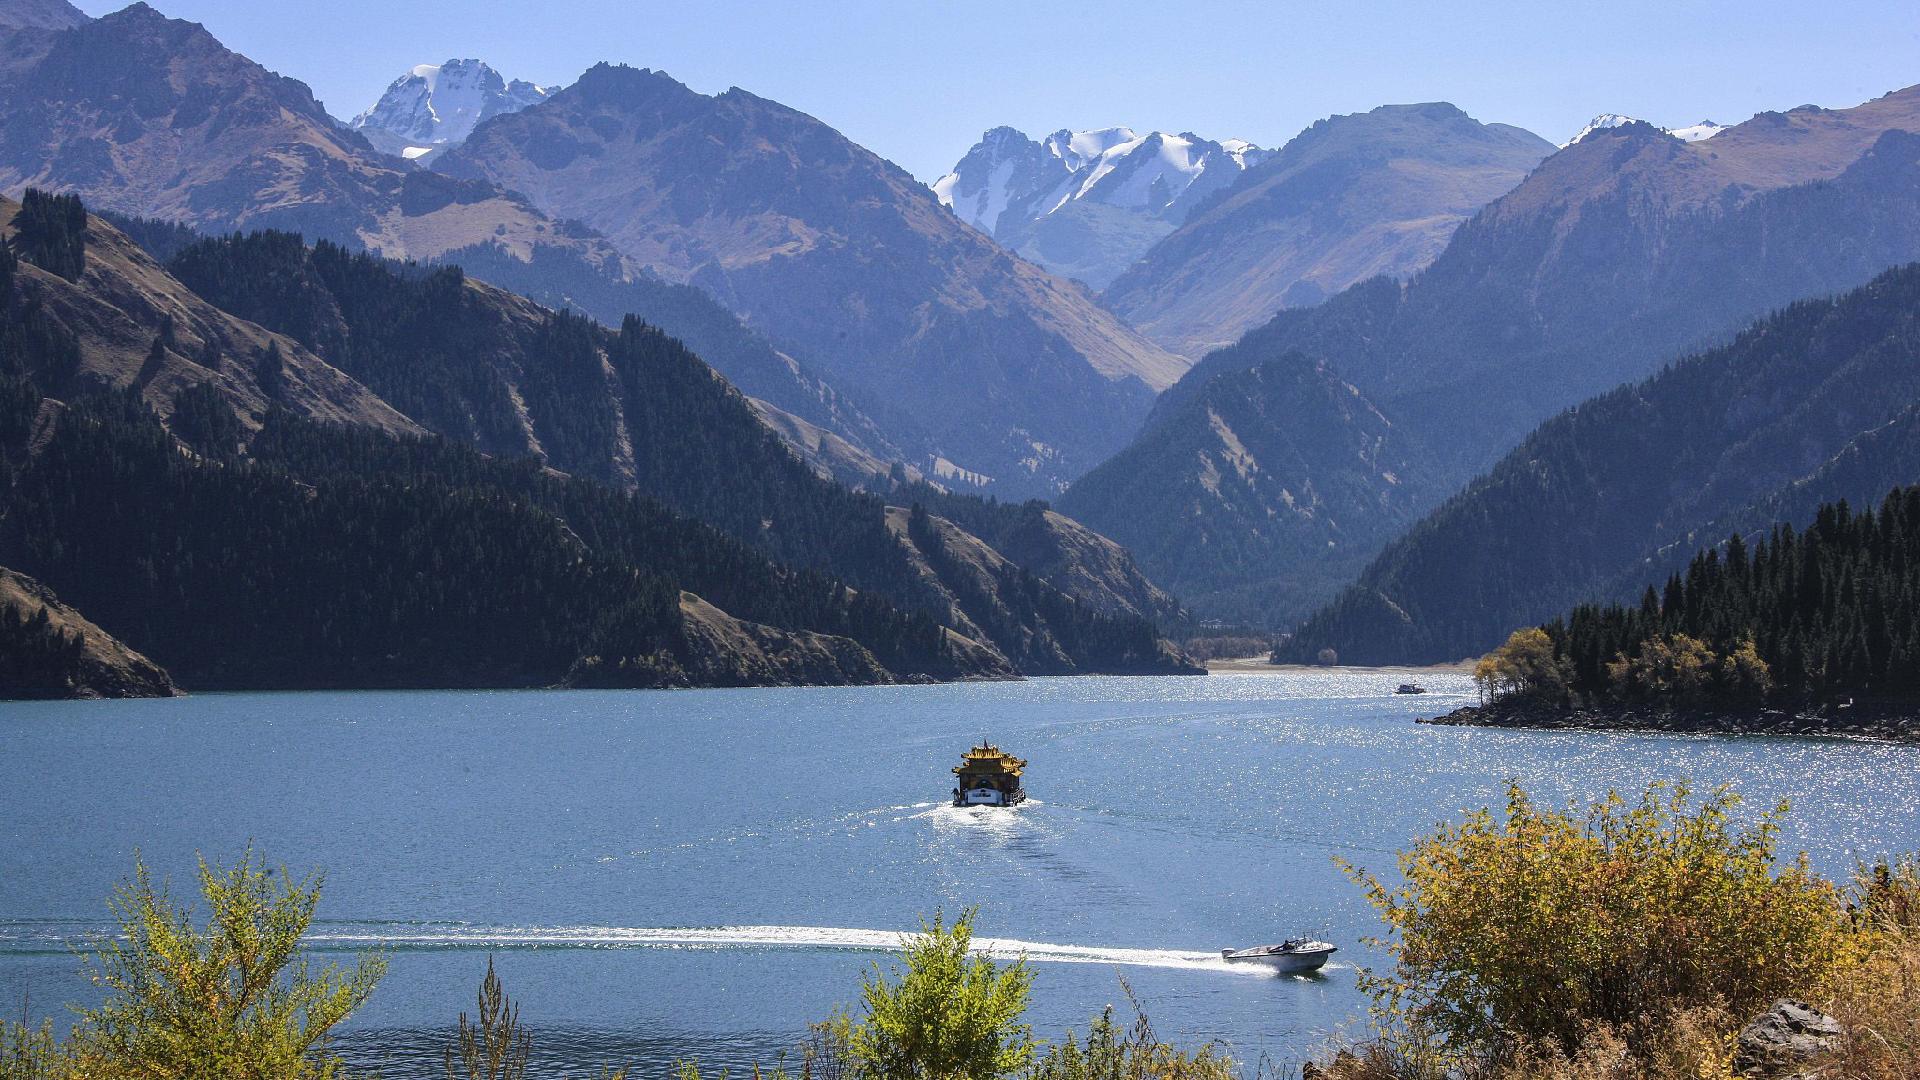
point(704, 873)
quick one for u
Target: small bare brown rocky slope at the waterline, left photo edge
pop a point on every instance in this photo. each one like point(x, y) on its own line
point(51, 650)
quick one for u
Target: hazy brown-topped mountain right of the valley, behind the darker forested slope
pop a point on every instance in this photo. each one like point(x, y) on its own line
point(1614, 257)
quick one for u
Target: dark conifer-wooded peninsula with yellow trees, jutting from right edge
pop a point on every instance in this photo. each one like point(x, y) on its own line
point(1802, 633)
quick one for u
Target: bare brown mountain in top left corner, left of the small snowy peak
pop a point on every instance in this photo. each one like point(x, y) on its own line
point(153, 116)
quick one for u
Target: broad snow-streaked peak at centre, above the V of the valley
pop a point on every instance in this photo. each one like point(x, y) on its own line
point(1088, 205)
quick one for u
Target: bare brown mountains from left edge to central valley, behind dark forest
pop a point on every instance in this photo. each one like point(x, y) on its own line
point(876, 358)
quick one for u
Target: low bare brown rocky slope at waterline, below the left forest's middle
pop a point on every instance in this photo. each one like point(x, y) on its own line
point(721, 650)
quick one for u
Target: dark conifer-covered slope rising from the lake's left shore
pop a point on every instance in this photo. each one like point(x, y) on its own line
point(731, 508)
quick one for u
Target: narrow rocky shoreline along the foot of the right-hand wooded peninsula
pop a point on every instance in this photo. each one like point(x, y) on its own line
point(1898, 722)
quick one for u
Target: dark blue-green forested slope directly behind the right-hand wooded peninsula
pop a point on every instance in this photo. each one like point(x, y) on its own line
point(1812, 405)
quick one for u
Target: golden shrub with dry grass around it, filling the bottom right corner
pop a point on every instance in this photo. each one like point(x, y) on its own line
point(1629, 943)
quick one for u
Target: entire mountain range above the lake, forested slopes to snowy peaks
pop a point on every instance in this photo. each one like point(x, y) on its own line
point(775, 343)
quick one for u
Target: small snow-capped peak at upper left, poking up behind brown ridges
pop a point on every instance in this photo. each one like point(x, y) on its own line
point(439, 105)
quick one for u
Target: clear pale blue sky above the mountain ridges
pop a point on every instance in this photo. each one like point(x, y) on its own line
point(921, 80)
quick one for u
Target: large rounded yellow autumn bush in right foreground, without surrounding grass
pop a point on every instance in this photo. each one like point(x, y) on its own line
point(1537, 927)
